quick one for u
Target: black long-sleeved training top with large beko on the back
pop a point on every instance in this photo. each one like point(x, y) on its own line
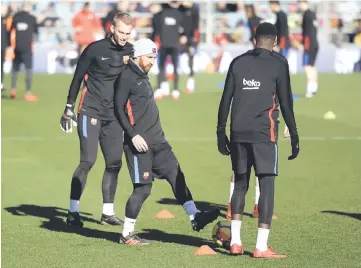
point(257, 84)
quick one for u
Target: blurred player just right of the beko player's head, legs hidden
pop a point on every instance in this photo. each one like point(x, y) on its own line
point(283, 40)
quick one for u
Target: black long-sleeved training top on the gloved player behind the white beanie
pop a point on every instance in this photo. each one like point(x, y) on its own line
point(99, 66)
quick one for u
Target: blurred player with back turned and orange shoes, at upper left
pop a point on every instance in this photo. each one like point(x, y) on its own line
point(23, 29)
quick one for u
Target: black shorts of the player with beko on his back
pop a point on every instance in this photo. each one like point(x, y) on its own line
point(262, 156)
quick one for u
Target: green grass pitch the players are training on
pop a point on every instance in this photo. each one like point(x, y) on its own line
point(318, 198)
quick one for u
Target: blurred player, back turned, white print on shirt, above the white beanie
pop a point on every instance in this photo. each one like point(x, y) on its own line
point(168, 27)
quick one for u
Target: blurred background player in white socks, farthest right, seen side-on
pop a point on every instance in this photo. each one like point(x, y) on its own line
point(310, 47)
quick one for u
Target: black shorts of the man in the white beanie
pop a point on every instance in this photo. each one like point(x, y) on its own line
point(158, 162)
